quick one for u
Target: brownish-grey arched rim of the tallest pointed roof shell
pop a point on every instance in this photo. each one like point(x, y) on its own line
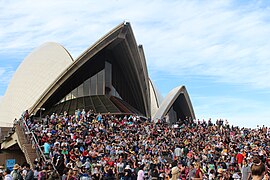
point(121, 34)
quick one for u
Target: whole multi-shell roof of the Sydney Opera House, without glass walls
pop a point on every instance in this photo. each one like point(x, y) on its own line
point(49, 73)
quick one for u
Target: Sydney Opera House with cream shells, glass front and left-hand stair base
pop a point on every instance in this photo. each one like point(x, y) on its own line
point(110, 76)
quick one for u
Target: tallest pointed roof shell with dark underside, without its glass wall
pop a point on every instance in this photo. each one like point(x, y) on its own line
point(120, 49)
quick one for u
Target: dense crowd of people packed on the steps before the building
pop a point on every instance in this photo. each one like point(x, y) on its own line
point(85, 145)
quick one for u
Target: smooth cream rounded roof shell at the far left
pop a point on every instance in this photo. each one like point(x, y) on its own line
point(35, 74)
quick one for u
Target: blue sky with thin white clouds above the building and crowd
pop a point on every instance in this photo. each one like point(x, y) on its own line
point(220, 50)
